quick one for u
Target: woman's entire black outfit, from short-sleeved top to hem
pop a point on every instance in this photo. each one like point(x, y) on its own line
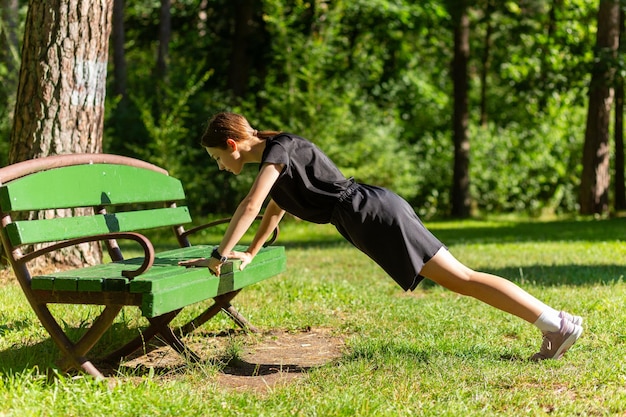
point(375, 220)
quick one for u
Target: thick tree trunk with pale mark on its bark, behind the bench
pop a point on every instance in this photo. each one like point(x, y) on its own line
point(60, 99)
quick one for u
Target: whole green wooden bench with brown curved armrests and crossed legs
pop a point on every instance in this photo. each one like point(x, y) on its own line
point(109, 198)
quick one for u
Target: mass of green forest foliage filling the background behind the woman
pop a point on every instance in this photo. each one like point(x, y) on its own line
point(369, 82)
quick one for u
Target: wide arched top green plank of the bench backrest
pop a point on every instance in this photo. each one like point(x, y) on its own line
point(88, 185)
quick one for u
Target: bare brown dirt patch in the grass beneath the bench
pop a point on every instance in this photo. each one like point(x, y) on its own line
point(250, 362)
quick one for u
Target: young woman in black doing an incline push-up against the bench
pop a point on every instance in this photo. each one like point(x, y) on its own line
point(302, 180)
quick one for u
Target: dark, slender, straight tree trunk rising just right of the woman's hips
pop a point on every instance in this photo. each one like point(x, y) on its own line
point(461, 200)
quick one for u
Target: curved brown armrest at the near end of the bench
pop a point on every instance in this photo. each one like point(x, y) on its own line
point(143, 241)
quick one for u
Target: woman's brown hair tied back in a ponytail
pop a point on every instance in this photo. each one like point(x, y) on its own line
point(233, 126)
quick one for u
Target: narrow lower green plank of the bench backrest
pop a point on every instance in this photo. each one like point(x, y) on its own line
point(61, 228)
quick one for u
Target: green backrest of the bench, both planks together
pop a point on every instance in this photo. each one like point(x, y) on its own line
point(111, 186)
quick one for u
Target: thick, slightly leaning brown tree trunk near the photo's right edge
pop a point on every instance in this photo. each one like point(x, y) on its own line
point(594, 185)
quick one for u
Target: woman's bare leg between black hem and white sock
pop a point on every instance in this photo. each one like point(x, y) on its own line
point(447, 271)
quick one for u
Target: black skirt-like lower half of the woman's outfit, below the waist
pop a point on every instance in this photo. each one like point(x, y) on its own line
point(386, 228)
